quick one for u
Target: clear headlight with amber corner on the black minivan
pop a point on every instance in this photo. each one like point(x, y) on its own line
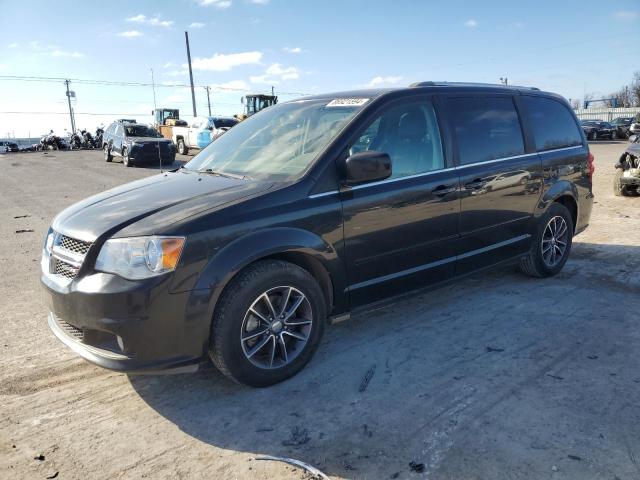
point(136, 258)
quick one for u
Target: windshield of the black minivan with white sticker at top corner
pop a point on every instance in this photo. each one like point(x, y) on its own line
point(278, 143)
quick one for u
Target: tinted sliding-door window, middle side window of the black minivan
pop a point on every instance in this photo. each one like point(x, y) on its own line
point(486, 128)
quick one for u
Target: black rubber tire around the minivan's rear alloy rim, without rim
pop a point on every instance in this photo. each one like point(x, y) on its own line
point(534, 264)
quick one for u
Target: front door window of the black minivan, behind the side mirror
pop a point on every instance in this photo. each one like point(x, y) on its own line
point(409, 134)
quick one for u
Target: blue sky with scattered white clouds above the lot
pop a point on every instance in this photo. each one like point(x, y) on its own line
point(298, 47)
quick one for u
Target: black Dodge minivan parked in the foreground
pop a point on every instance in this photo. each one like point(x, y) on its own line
point(311, 210)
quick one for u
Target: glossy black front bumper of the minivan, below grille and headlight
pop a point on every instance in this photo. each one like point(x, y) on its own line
point(127, 326)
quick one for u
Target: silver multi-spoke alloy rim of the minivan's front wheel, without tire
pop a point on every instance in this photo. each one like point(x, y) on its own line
point(276, 327)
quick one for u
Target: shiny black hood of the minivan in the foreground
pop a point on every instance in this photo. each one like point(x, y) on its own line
point(166, 198)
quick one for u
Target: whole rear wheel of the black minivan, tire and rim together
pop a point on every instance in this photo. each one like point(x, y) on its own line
point(551, 243)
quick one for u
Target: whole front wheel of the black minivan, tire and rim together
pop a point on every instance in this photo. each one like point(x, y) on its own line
point(268, 323)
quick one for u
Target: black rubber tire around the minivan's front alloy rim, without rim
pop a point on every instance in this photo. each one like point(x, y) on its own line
point(227, 350)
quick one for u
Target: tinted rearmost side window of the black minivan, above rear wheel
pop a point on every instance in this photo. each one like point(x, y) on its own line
point(552, 124)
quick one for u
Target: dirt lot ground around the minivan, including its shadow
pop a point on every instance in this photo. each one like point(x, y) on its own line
point(498, 377)
